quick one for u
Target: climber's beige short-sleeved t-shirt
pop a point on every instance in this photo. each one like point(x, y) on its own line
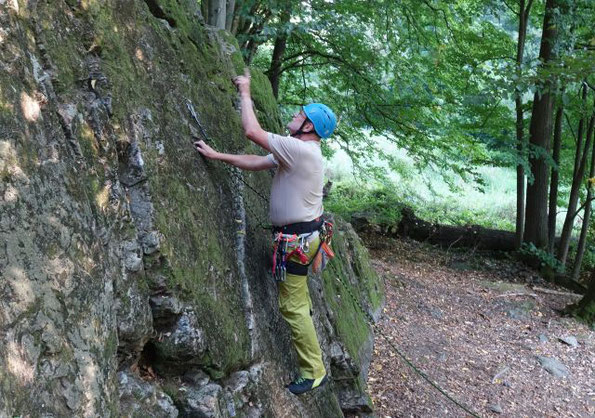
point(296, 193)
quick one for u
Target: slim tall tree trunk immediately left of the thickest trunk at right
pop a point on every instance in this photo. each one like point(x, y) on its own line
point(520, 211)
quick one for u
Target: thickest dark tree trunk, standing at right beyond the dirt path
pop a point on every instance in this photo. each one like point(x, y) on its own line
point(539, 136)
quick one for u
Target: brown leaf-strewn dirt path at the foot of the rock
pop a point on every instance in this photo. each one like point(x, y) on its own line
point(476, 326)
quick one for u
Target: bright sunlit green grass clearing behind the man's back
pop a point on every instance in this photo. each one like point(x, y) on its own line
point(433, 198)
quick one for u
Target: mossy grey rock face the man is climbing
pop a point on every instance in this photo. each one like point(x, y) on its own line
point(134, 277)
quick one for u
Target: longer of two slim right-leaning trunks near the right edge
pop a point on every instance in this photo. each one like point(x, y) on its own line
point(580, 162)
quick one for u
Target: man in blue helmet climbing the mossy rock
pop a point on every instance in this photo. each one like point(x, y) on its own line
point(295, 213)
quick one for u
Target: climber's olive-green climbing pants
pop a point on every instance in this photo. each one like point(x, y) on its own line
point(295, 306)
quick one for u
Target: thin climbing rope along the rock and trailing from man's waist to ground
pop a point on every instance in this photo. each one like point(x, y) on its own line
point(369, 319)
